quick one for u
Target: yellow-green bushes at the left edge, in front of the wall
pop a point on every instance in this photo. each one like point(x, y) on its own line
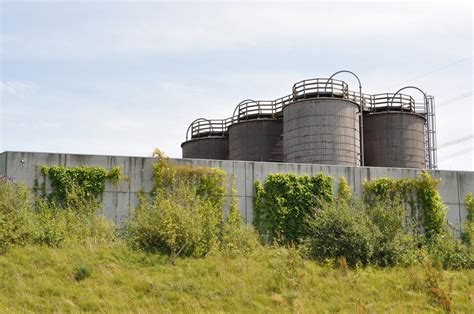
point(42, 222)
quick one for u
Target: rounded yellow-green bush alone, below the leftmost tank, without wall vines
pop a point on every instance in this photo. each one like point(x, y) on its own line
point(177, 223)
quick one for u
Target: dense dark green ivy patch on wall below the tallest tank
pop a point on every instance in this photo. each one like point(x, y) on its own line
point(282, 204)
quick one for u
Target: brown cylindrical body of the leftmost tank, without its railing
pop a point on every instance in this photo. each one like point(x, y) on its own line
point(212, 147)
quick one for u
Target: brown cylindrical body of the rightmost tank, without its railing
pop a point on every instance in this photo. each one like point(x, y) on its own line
point(394, 139)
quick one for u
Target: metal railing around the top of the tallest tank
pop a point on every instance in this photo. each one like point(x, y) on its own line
point(320, 87)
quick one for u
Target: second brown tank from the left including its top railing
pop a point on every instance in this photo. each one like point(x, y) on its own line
point(255, 132)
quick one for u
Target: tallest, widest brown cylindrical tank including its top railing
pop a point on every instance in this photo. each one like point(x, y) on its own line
point(321, 125)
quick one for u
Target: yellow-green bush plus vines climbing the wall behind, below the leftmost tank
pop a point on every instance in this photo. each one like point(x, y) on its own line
point(185, 216)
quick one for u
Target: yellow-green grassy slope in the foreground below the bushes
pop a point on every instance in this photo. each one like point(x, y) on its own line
point(42, 279)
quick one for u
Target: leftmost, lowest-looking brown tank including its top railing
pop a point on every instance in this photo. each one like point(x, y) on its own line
point(207, 139)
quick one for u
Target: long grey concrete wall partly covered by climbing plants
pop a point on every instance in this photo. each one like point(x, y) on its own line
point(120, 199)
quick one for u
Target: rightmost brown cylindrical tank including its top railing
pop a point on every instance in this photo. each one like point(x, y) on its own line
point(394, 133)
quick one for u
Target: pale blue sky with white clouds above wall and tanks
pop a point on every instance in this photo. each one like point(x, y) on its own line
point(126, 77)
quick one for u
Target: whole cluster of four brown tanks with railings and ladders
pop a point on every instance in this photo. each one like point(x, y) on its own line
point(323, 122)
